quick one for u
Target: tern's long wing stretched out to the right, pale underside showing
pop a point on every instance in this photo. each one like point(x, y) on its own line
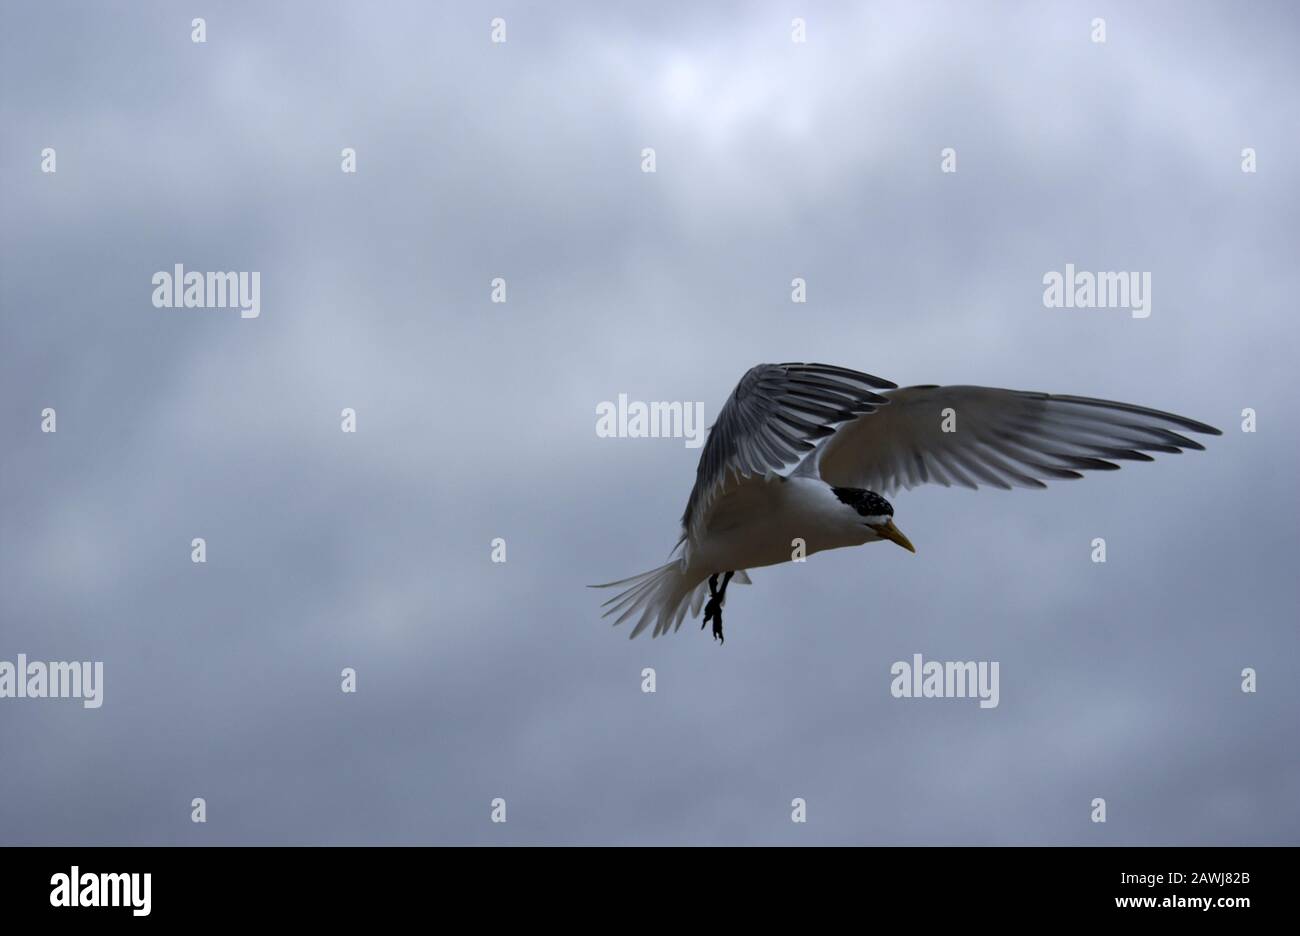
point(1004, 439)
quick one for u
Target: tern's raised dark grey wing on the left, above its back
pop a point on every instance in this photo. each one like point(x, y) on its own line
point(772, 422)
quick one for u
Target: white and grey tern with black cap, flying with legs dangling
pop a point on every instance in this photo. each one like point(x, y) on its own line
point(805, 454)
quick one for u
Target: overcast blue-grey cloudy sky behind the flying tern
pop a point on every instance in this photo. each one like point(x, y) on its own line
point(476, 419)
